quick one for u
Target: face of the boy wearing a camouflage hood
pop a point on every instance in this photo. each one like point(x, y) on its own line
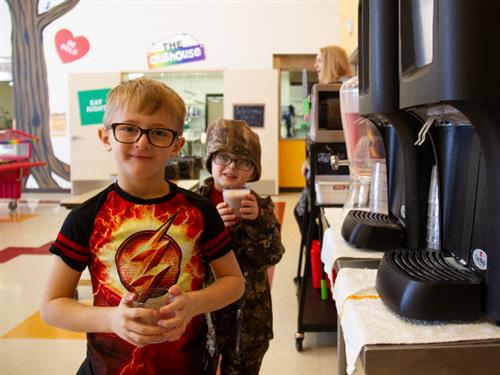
point(230, 176)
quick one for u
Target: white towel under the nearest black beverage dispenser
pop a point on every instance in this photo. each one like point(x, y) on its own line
point(365, 319)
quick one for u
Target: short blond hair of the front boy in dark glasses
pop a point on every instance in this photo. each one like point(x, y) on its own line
point(146, 96)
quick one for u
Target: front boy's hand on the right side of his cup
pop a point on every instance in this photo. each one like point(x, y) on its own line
point(177, 314)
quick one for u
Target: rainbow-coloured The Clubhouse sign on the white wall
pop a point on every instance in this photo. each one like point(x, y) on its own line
point(178, 49)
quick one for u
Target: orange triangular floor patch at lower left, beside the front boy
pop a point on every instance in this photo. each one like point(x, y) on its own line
point(34, 328)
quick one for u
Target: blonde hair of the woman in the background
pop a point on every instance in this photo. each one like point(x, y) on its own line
point(335, 64)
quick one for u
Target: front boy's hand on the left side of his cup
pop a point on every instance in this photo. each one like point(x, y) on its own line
point(128, 322)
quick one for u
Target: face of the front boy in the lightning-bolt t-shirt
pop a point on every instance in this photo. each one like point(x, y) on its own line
point(140, 160)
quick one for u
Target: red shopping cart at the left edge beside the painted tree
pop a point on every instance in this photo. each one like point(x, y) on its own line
point(15, 154)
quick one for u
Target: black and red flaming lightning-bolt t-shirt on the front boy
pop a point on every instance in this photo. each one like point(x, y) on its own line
point(130, 245)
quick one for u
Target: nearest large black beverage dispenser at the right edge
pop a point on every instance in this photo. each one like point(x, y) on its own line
point(449, 79)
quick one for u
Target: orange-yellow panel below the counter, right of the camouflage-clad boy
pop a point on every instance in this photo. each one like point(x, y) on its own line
point(292, 153)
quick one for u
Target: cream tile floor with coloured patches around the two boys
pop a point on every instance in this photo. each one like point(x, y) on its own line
point(28, 346)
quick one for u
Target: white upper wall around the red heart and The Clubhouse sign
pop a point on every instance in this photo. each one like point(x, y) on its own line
point(236, 34)
